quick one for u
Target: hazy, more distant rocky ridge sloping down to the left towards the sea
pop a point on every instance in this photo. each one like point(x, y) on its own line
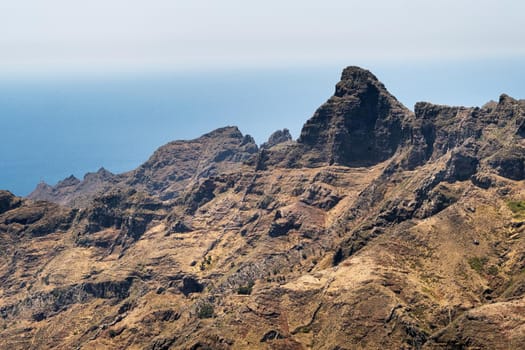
point(168, 171)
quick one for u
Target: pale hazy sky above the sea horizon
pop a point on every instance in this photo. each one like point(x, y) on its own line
point(65, 35)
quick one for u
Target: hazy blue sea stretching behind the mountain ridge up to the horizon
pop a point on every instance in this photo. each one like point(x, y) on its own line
point(52, 127)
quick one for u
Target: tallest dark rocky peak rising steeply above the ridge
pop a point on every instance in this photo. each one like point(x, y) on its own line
point(361, 125)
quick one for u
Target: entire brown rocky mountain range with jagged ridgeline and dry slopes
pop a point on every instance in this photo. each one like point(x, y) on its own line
point(379, 228)
